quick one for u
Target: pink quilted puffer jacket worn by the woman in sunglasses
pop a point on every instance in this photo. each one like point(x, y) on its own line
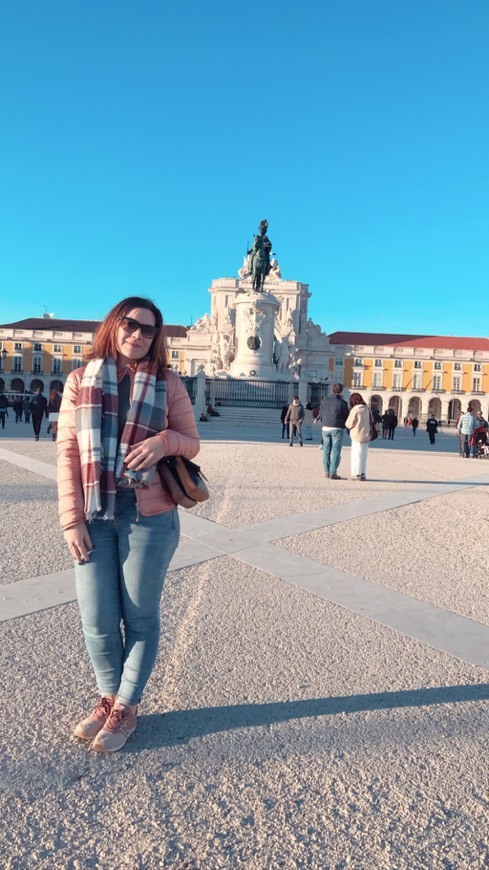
point(180, 438)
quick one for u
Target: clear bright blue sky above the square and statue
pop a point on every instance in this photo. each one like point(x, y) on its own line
point(142, 143)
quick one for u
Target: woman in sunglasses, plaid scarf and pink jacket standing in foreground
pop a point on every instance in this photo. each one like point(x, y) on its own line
point(119, 416)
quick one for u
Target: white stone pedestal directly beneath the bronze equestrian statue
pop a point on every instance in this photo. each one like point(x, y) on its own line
point(255, 323)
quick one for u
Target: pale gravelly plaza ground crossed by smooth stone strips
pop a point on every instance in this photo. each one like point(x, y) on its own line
point(321, 696)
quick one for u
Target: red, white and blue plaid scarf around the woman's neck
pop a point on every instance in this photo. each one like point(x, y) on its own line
point(102, 458)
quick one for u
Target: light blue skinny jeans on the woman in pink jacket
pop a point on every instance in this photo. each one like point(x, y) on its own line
point(123, 582)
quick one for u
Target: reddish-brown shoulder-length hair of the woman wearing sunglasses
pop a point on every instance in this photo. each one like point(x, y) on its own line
point(105, 341)
